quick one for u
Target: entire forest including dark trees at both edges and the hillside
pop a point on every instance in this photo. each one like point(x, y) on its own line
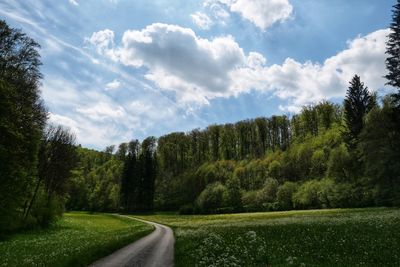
point(329, 155)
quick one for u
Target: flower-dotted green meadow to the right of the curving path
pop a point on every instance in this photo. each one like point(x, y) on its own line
point(350, 237)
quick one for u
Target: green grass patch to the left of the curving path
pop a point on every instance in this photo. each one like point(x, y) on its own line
point(77, 239)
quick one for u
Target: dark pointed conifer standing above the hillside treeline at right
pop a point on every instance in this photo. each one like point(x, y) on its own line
point(357, 104)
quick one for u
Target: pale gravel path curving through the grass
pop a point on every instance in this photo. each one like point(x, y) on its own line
point(153, 250)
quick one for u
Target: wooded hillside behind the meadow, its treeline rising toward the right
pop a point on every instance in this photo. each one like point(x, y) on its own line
point(311, 160)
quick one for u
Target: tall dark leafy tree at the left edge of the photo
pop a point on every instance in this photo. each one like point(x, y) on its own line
point(22, 118)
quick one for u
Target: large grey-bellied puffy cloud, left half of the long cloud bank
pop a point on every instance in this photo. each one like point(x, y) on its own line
point(180, 61)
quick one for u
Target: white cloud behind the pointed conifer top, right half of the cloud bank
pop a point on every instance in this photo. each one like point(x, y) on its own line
point(310, 82)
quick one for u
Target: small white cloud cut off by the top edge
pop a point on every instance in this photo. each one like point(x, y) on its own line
point(262, 13)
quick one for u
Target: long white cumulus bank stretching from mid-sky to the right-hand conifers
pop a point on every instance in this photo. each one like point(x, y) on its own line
point(198, 69)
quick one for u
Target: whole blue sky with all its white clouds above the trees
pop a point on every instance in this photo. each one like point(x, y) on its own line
point(117, 70)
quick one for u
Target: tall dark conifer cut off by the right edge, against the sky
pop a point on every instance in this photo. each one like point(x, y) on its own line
point(393, 50)
